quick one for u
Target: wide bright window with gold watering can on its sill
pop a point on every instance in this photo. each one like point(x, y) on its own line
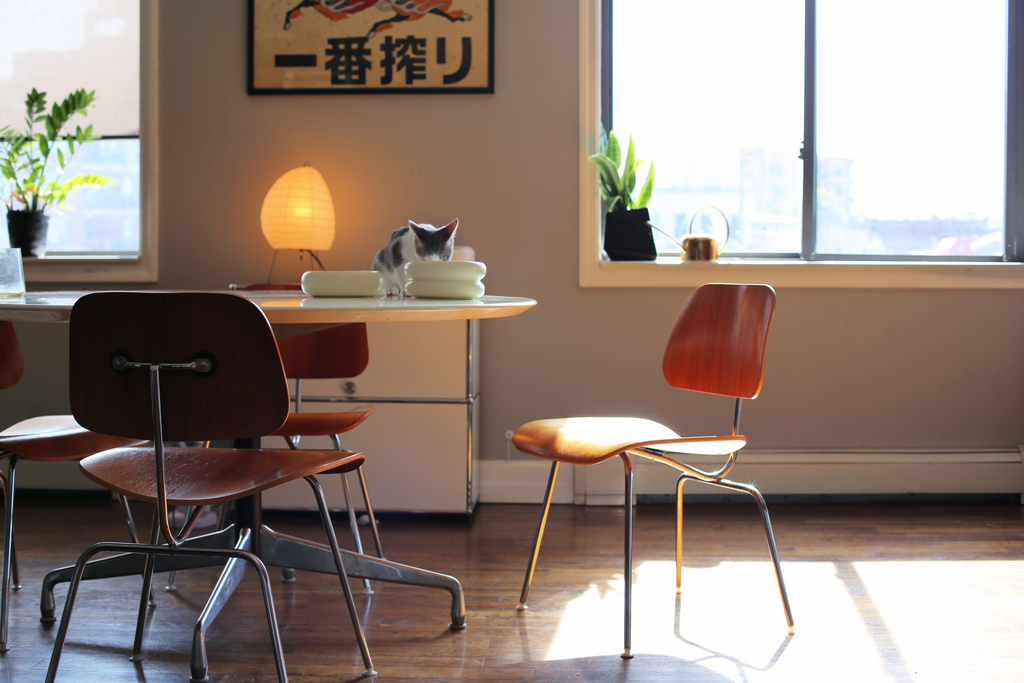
point(828, 132)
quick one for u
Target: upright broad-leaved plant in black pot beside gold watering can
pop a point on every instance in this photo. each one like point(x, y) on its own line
point(627, 230)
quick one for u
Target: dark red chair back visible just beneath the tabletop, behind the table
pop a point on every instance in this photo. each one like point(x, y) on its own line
point(333, 354)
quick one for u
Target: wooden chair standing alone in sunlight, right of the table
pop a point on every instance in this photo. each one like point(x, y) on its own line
point(716, 347)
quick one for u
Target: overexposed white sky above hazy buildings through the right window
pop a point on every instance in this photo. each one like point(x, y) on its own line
point(913, 91)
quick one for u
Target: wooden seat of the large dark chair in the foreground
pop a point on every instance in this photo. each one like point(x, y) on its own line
point(207, 477)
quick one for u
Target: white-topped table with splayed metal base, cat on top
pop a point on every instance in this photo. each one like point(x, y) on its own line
point(290, 314)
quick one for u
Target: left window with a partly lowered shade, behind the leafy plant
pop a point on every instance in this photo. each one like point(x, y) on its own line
point(108, 233)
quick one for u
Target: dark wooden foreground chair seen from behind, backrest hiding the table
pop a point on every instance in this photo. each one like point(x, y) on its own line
point(188, 367)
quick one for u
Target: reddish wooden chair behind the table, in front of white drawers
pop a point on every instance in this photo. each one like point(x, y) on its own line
point(340, 353)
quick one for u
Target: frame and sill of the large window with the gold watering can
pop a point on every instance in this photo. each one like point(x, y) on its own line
point(808, 270)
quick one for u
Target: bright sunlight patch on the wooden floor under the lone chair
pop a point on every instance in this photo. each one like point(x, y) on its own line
point(872, 621)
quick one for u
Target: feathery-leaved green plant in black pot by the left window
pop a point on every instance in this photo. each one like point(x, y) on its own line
point(33, 187)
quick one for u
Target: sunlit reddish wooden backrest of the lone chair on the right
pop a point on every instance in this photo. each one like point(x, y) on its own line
point(717, 345)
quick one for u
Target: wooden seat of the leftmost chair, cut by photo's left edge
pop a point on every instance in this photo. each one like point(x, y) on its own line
point(56, 438)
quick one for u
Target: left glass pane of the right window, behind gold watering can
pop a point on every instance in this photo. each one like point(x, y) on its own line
point(713, 94)
